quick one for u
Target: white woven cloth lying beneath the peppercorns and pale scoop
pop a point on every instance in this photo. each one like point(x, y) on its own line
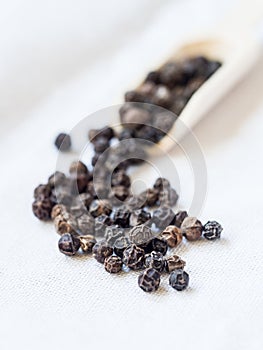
point(60, 61)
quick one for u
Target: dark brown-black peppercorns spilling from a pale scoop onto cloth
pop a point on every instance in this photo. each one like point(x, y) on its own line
point(94, 210)
